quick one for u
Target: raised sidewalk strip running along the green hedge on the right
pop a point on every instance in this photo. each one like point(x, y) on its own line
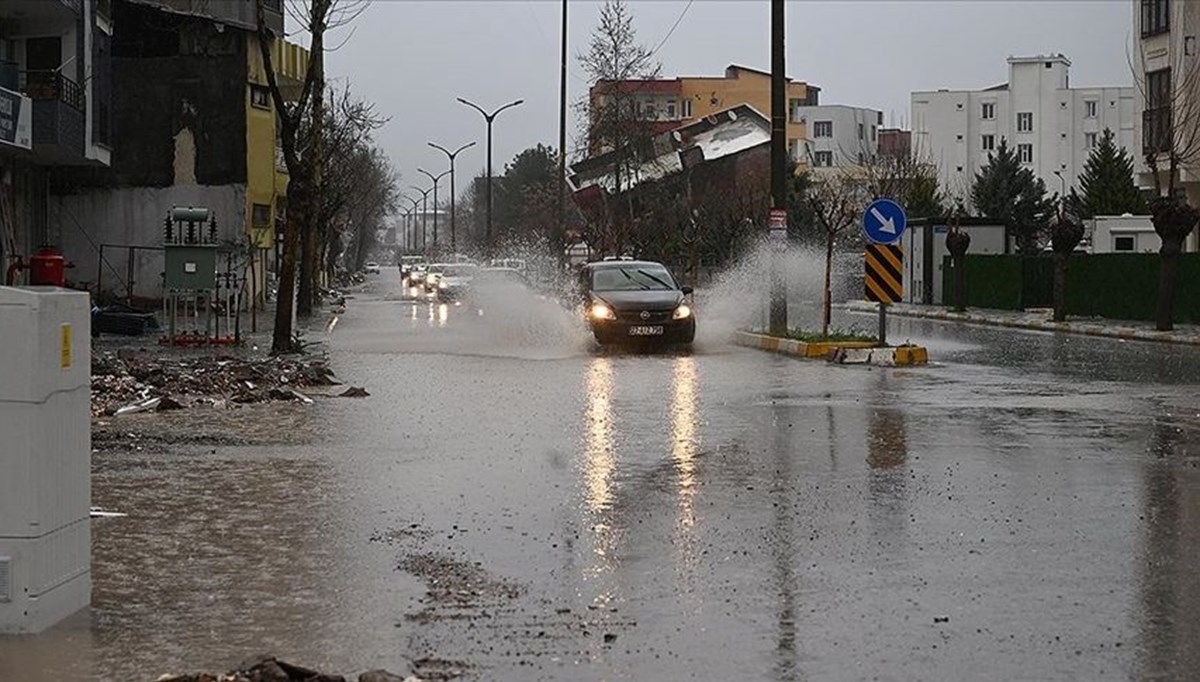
point(1041, 321)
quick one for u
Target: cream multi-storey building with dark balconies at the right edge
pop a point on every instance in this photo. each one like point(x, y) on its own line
point(1167, 57)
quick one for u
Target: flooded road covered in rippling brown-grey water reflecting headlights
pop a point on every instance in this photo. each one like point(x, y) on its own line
point(517, 504)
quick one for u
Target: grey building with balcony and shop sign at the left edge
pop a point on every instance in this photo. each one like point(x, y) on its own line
point(56, 112)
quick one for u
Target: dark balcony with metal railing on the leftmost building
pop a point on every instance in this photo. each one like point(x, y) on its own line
point(59, 117)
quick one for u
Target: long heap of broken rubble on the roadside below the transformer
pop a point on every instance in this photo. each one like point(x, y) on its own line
point(141, 381)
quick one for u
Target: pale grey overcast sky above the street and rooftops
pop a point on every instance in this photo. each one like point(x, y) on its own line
point(413, 59)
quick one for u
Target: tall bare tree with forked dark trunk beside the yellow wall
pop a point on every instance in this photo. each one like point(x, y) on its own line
point(315, 17)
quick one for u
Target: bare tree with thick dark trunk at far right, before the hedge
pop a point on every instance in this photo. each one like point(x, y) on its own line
point(1171, 143)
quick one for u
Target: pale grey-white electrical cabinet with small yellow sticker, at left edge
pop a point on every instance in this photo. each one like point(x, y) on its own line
point(45, 457)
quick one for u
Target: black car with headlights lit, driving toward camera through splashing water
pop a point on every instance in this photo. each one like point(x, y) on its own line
point(632, 301)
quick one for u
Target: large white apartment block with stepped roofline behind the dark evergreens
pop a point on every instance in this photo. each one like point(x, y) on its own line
point(1051, 125)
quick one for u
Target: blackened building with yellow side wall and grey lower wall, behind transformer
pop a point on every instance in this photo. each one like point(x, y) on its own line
point(194, 125)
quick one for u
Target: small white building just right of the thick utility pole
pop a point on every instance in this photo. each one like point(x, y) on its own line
point(837, 135)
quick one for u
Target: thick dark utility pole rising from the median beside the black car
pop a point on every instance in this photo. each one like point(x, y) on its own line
point(778, 324)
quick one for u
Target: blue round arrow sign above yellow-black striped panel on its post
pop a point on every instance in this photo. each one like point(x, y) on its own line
point(884, 225)
